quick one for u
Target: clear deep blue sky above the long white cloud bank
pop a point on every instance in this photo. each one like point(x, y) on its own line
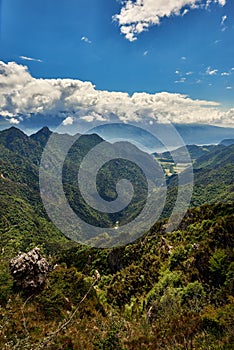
point(191, 53)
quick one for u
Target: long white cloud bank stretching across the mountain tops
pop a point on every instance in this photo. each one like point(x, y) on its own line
point(22, 96)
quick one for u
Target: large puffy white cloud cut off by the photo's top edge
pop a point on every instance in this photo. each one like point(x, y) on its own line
point(136, 16)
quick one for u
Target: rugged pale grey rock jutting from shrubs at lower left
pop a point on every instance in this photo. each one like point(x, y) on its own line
point(29, 270)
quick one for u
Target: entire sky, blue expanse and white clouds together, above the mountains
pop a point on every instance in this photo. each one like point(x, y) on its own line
point(111, 60)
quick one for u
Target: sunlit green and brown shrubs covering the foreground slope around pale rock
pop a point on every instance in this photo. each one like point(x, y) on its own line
point(165, 291)
